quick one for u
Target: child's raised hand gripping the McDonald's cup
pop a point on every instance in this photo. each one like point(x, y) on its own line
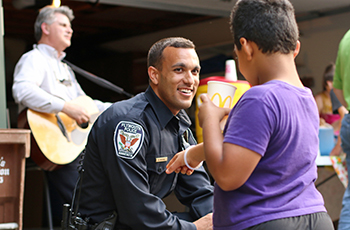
point(209, 112)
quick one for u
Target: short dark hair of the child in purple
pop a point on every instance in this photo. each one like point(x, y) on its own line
point(270, 24)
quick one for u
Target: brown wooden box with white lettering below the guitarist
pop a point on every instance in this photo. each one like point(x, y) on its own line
point(14, 148)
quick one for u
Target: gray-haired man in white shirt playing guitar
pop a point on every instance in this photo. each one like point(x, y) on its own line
point(42, 82)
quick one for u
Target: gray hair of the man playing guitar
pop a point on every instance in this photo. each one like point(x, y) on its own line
point(47, 15)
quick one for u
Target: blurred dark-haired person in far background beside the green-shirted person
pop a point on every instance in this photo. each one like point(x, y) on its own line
point(324, 103)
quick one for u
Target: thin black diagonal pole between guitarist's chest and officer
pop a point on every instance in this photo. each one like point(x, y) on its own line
point(100, 81)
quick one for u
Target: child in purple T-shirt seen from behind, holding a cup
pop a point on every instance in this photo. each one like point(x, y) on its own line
point(264, 162)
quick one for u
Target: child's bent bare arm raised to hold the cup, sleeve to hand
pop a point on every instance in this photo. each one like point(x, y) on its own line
point(229, 164)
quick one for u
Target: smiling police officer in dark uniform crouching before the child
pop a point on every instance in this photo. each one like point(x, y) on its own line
point(132, 142)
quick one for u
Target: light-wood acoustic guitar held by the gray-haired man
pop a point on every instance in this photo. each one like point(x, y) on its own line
point(57, 139)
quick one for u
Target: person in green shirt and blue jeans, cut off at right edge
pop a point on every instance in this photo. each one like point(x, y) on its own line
point(341, 87)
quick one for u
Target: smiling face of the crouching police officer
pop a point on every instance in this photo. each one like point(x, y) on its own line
point(177, 82)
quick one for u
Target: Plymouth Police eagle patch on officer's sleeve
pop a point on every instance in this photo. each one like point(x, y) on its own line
point(128, 139)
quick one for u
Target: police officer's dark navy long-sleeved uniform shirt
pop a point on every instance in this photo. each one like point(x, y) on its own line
point(128, 149)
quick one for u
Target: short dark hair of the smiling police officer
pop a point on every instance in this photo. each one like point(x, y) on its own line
point(155, 53)
